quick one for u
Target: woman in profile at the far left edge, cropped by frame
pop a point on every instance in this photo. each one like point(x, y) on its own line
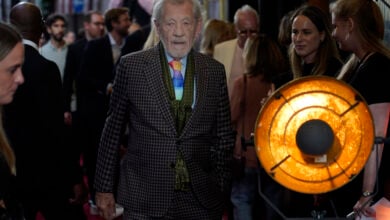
point(11, 59)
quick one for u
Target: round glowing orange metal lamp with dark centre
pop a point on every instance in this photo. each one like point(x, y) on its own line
point(314, 134)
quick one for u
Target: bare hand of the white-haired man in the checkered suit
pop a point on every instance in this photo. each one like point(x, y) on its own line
point(105, 203)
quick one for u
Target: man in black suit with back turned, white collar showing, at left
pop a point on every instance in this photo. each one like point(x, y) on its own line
point(34, 124)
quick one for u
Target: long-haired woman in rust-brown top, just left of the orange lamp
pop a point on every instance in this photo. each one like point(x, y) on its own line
point(262, 60)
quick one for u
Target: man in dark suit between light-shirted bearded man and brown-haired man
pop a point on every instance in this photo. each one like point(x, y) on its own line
point(93, 24)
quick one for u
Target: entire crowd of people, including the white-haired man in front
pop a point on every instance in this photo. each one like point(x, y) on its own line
point(160, 118)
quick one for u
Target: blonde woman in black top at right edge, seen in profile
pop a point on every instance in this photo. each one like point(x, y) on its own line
point(359, 29)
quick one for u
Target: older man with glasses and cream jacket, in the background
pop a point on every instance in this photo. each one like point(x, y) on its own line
point(229, 53)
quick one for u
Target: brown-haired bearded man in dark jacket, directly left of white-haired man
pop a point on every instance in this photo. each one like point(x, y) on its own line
point(95, 83)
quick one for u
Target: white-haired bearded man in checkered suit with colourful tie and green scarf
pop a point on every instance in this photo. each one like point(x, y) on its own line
point(177, 163)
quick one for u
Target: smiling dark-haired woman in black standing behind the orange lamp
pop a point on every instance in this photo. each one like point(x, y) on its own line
point(312, 52)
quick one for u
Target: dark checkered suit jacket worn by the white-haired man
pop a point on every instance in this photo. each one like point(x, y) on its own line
point(140, 101)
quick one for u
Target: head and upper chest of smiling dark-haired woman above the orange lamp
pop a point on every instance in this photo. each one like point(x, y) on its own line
point(313, 51)
